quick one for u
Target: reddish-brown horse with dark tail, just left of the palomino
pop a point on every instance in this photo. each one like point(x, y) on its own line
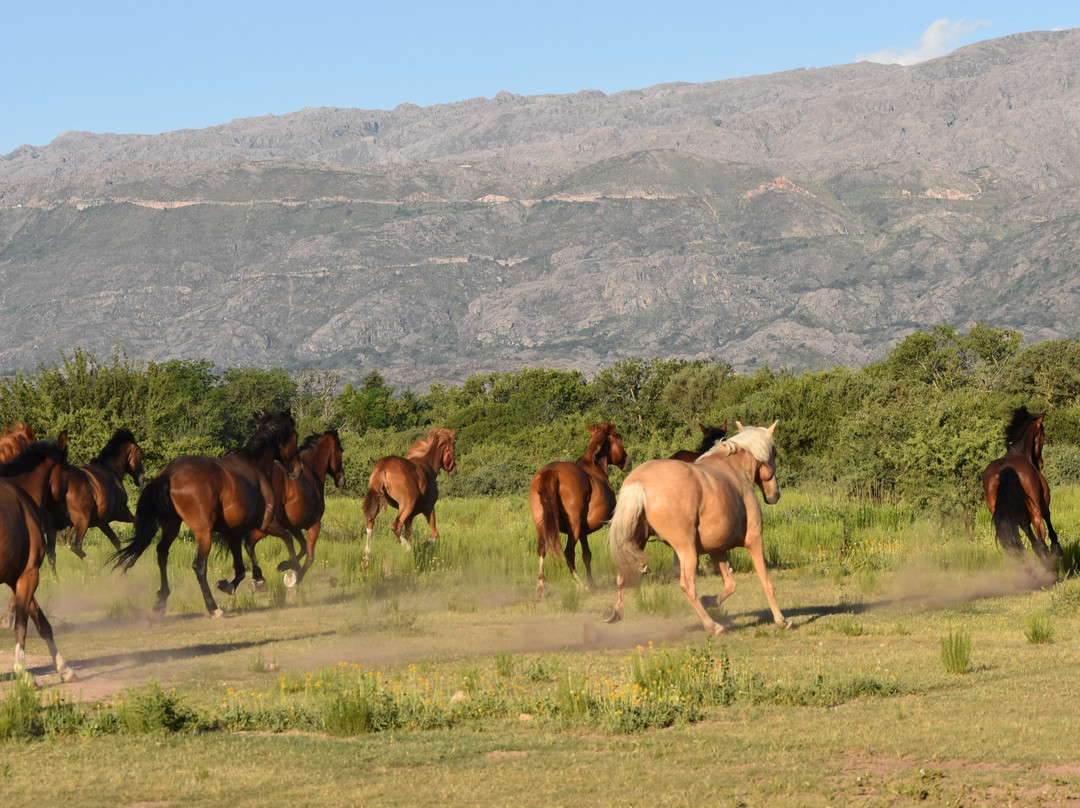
point(576, 500)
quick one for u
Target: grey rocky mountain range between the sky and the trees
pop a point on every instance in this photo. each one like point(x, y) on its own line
point(802, 220)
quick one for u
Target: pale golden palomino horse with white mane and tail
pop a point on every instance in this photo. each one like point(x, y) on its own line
point(707, 507)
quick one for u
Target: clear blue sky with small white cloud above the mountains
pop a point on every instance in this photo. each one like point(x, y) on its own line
point(142, 68)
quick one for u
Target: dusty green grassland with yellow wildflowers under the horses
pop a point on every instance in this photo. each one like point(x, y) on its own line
point(923, 669)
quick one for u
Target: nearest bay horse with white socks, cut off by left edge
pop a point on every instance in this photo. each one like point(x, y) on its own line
point(33, 501)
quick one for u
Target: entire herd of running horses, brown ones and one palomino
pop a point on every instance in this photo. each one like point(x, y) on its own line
point(698, 503)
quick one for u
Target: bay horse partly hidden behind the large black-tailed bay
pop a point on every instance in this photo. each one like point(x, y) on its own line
point(302, 503)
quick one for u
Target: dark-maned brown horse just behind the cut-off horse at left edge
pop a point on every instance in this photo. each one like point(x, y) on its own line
point(97, 494)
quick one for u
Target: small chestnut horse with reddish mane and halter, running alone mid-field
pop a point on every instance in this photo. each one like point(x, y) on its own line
point(409, 484)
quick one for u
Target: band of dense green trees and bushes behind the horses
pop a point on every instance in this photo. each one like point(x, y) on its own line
point(917, 427)
